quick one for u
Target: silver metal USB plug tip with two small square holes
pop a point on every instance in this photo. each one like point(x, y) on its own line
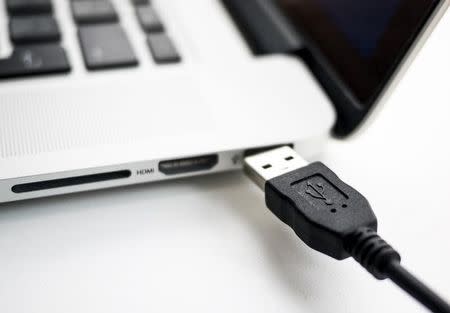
point(267, 165)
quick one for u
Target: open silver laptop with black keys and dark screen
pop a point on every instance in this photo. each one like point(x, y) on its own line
point(104, 93)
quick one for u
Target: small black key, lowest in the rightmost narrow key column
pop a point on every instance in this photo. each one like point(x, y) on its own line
point(162, 49)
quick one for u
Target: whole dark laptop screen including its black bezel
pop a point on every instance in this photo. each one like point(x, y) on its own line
point(363, 41)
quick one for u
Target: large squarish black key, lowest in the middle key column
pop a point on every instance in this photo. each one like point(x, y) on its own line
point(105, 46)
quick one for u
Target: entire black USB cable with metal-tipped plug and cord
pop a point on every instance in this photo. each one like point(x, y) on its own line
point(331, 217)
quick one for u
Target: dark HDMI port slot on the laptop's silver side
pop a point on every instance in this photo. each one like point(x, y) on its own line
point(188, 165)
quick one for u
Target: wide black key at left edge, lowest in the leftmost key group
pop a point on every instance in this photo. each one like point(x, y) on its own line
point(35, 60)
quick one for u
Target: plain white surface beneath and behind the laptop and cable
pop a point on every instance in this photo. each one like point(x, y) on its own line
point(208, 244)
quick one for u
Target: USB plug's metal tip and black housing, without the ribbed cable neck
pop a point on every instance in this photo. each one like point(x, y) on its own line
point(321, 209)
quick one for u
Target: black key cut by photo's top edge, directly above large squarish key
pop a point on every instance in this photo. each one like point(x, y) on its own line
point(95, 11)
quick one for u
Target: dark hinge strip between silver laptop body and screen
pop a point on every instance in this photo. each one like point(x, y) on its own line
point(268, 31)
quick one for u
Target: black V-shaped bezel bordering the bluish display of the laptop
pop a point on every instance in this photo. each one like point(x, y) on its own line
point(363, 78)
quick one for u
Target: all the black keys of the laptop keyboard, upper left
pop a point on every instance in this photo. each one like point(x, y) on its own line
point(36, 37)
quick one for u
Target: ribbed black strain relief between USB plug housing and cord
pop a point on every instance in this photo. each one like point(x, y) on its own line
point(371, 251)
